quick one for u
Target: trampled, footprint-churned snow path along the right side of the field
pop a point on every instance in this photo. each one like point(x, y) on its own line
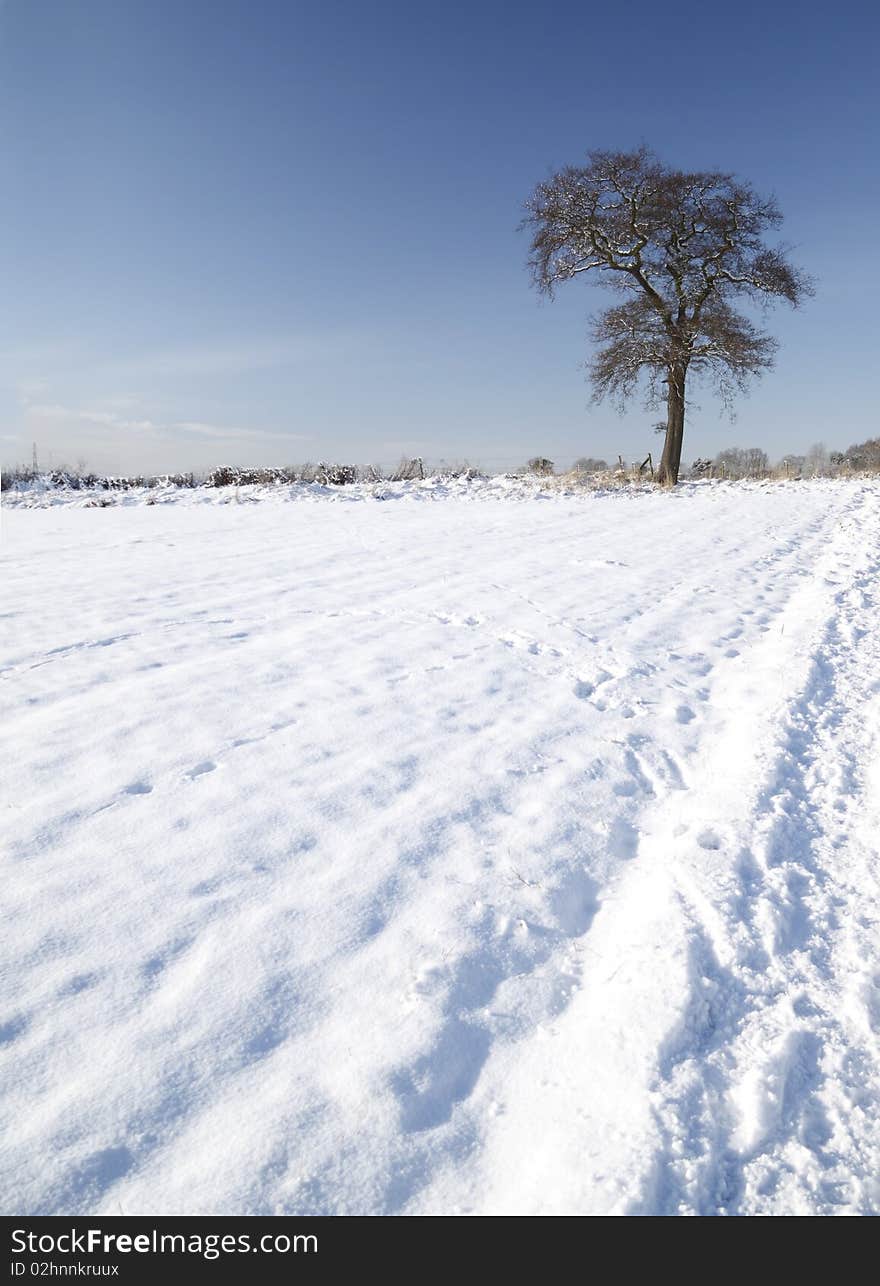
point(769, 1094)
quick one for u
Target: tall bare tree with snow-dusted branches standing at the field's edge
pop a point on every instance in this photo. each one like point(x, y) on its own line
point(679, 248)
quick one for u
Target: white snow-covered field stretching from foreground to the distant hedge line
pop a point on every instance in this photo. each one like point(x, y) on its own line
point(426, 855)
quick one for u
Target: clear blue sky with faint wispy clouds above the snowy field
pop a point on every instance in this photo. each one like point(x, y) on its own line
point(272, 232)
